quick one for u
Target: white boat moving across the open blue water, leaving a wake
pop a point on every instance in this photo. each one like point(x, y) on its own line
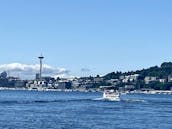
point(111, 95)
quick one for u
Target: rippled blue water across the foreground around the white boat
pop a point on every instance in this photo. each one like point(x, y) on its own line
point(76, 110)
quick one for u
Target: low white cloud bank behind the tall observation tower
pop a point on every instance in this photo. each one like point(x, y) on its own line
point(26, 71)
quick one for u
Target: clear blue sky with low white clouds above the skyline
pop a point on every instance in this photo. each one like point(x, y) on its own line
point(84, 37)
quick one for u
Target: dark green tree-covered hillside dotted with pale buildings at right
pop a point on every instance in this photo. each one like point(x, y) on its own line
point(156, 77)
